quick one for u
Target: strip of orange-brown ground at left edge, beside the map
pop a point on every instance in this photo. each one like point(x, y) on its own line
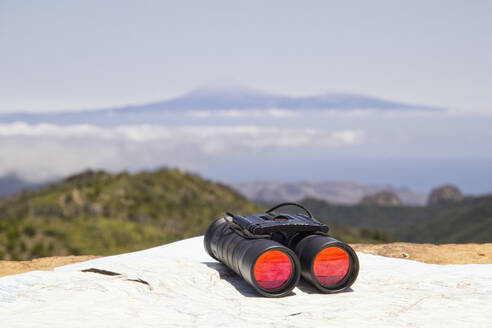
point(44, 263)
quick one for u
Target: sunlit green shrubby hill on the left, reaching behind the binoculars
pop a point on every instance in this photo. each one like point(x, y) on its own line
point(101, 213)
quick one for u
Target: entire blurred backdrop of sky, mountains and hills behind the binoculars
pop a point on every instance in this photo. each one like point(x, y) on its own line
point(128, 124)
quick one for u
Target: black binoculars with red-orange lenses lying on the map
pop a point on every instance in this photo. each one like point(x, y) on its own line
point(272, 250)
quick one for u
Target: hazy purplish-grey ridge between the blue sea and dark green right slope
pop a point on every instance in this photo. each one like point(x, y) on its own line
point(341, 192)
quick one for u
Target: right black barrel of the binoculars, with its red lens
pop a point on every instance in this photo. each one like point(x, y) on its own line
point(330, 265)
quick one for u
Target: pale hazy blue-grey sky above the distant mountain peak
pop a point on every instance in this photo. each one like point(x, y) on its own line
point(86, 54)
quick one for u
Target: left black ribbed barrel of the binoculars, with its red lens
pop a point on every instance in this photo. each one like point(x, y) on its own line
point(271, 268)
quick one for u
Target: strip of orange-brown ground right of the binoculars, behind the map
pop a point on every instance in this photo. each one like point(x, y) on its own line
point(430, 253)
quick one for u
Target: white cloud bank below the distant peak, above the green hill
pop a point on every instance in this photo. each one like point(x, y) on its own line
point(43, 151)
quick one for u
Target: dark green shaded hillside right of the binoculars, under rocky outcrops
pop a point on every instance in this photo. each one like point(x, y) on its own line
point(469, 220)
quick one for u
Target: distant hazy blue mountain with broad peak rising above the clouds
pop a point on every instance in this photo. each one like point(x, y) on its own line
point(215, 99)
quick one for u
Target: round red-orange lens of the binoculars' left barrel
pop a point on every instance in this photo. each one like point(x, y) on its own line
point(273, 269)
